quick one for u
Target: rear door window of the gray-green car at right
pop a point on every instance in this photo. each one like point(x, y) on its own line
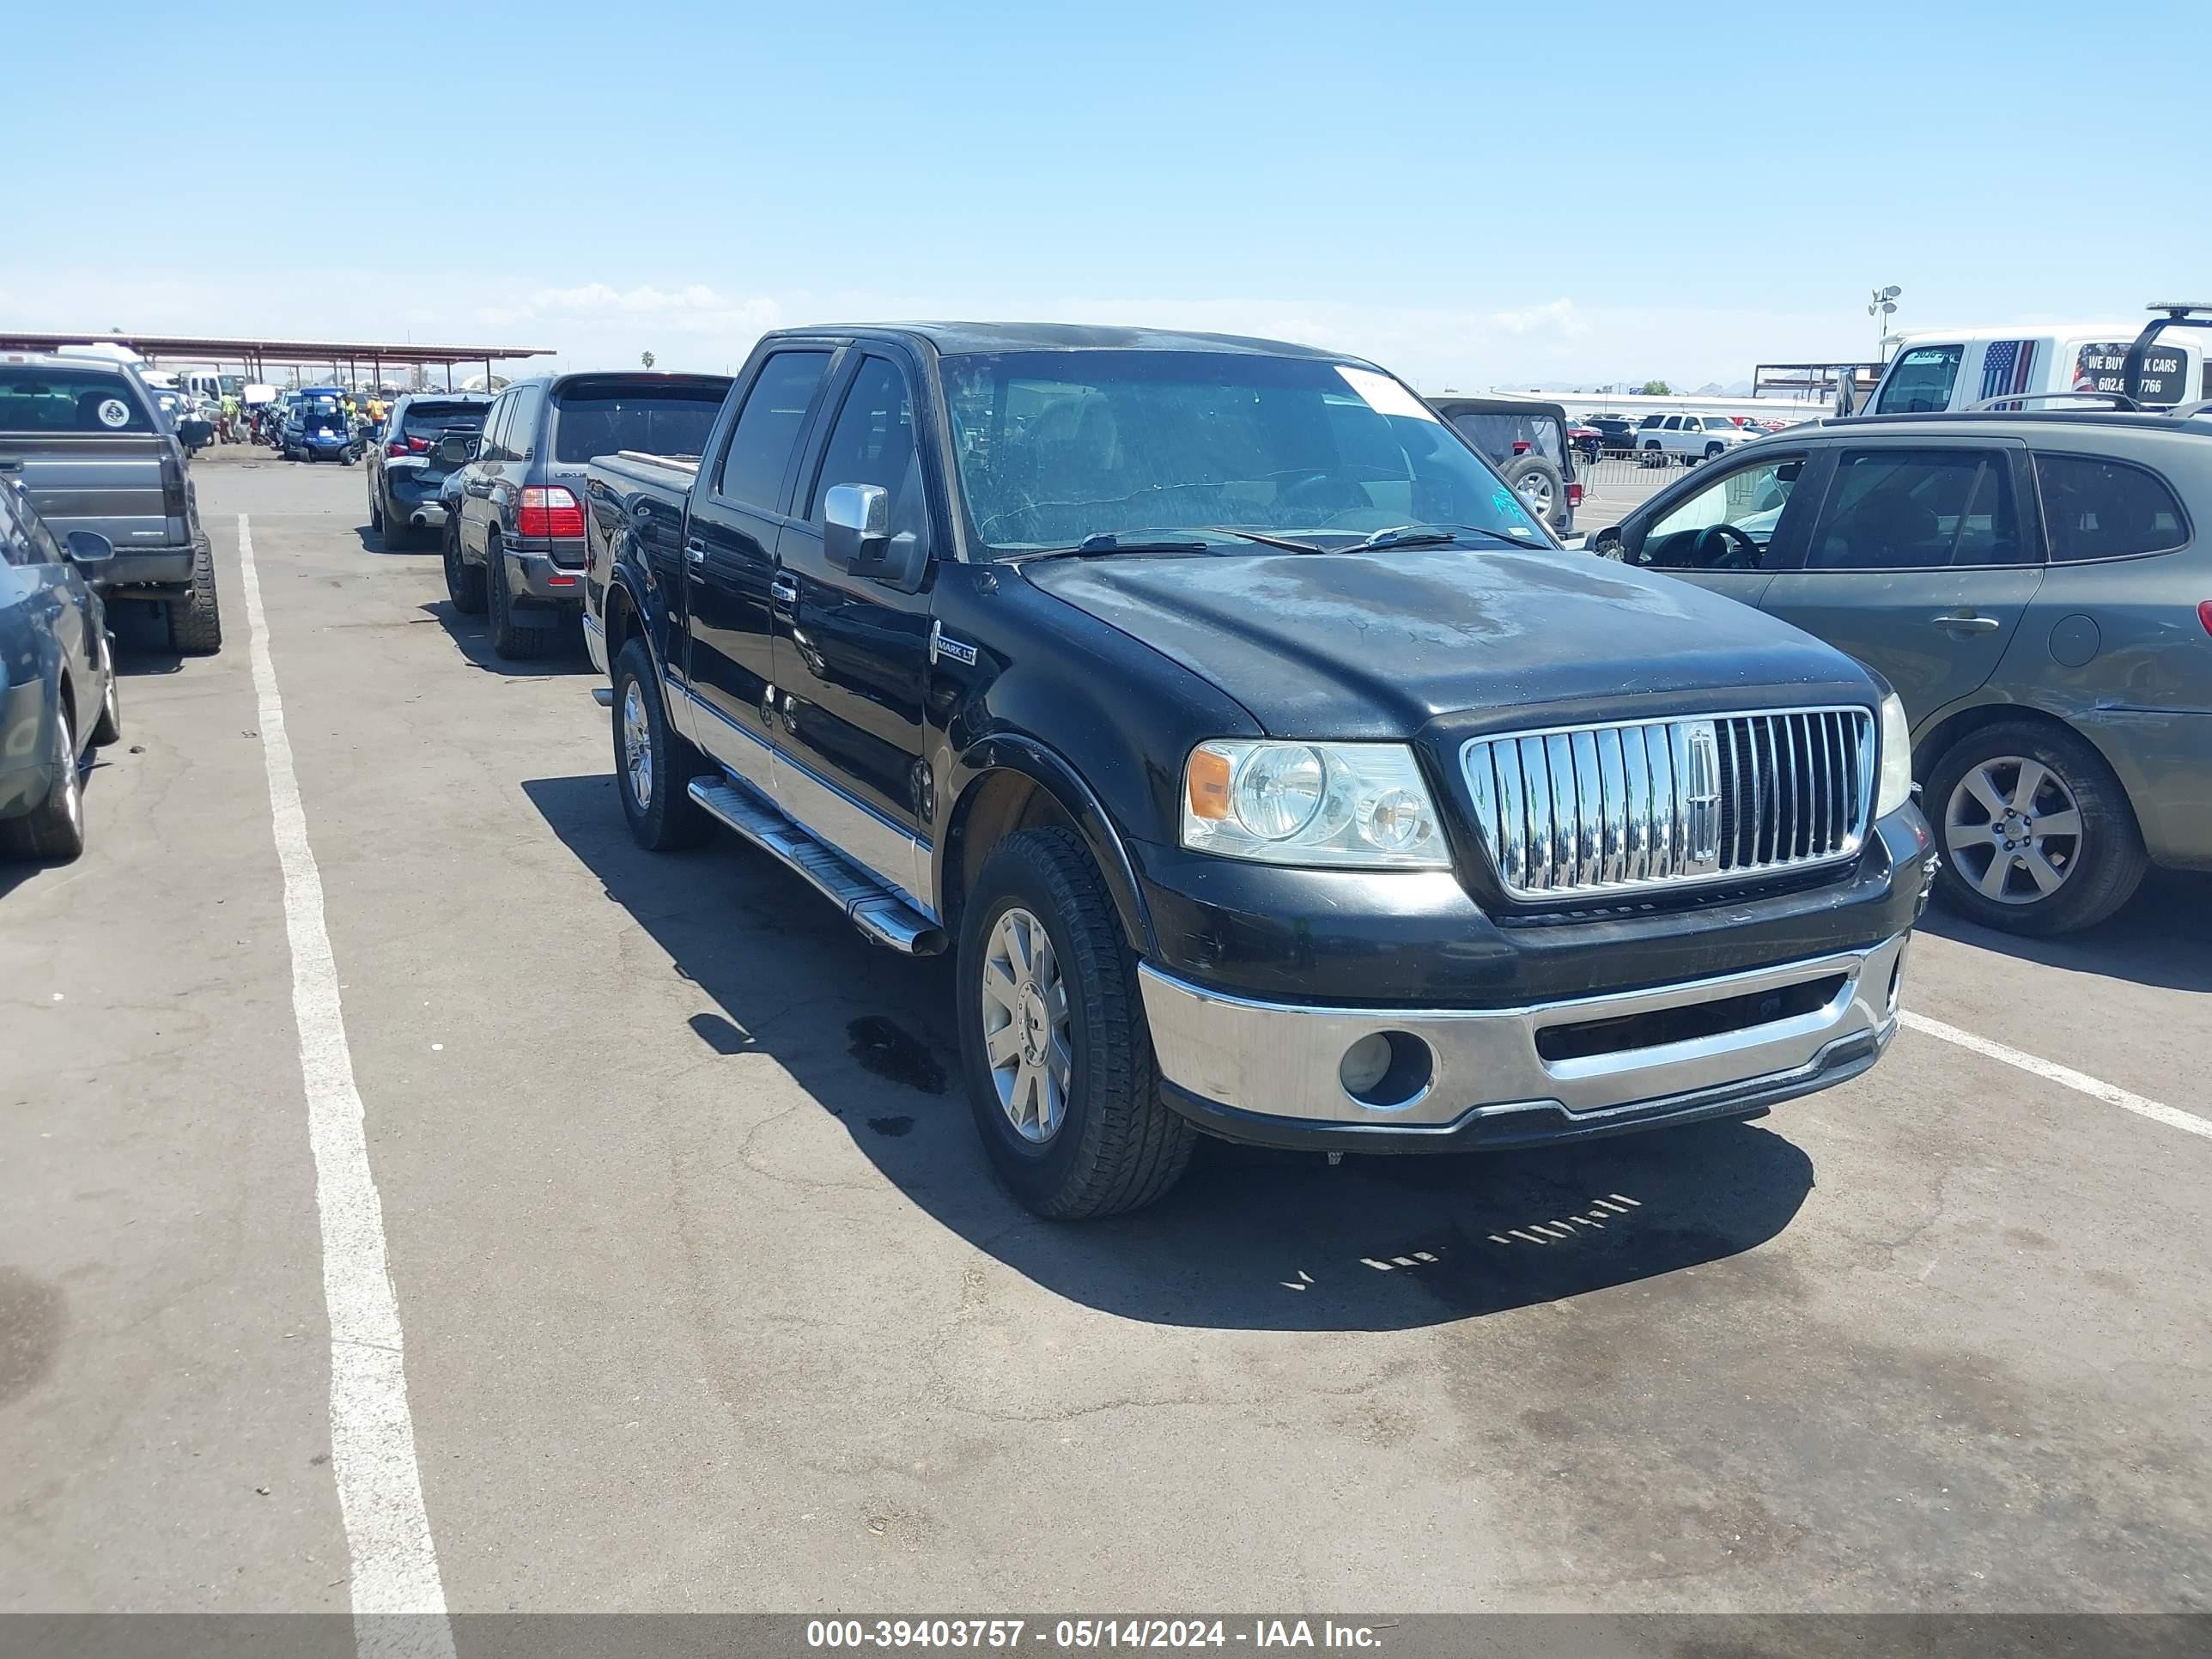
point(1914, 510)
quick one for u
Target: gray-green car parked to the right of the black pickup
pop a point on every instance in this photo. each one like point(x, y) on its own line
point(2038, 587)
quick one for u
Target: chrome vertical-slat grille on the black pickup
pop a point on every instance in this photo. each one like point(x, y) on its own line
point(1585, 811)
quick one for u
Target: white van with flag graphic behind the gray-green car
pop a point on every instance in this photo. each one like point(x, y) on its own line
point(1937, 371)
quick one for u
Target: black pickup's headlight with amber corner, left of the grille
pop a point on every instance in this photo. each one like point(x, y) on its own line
point(1350, 806)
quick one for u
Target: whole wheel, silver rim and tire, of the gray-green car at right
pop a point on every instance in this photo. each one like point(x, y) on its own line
point(2038, 835)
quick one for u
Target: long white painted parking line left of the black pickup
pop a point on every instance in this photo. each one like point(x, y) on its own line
point(395, 1563)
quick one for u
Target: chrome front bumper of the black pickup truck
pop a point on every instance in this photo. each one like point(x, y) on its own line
point(1271, 1070)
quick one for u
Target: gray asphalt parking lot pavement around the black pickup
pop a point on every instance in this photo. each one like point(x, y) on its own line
point(711, 1302)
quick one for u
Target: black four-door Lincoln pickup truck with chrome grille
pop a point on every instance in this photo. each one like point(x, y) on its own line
point(1264, 764)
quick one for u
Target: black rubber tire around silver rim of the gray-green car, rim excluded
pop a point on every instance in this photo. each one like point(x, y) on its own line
point(2107, 859)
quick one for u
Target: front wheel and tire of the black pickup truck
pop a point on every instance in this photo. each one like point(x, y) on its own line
point(1054, 1043)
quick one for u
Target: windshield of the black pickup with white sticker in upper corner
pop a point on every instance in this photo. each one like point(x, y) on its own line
point(1056, 448)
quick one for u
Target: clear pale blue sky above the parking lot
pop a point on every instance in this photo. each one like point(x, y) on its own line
point(1470, 194)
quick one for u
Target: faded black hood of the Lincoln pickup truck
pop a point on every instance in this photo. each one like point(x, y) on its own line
point(1384, 645)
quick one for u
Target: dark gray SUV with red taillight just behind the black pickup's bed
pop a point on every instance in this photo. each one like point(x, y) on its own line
point(517, 545)
